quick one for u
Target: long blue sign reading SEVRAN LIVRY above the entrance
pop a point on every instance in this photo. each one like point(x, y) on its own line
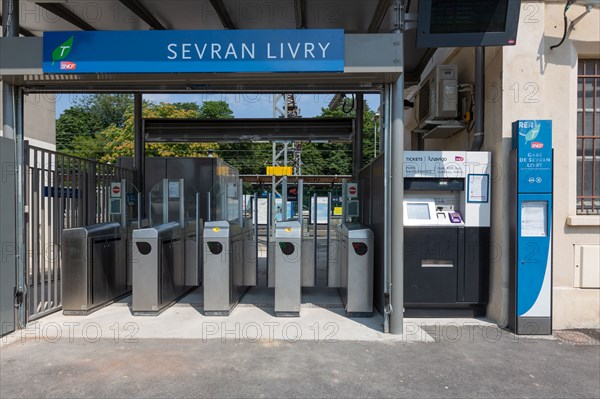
point(306, 50)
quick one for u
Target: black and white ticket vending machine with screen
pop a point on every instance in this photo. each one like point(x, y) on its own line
point(446, 214)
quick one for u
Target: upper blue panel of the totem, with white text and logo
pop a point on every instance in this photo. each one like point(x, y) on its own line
point(533, 140)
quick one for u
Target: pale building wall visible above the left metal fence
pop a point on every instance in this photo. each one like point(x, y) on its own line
point(39, 119)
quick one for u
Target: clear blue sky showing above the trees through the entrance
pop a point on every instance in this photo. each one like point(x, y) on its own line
point(243, 105)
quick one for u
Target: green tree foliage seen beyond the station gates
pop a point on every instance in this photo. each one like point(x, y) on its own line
point(100, 127)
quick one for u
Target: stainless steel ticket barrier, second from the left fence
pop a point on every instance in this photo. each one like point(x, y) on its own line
point(158, 268)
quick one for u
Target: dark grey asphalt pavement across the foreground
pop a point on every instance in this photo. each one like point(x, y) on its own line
point(475, 362)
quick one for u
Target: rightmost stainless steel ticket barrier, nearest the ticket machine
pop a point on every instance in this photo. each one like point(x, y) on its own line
point(357, 250)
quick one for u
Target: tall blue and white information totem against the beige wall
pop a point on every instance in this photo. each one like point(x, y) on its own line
point(530, 285)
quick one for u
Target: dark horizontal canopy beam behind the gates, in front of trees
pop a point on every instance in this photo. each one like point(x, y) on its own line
point(248, 130)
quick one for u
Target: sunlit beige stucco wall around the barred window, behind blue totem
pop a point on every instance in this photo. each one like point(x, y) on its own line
point(552, 78)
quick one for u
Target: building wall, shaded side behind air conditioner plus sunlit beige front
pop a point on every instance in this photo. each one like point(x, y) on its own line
point(530, 81)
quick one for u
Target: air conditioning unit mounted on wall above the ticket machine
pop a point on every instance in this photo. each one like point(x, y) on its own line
point(438, 95)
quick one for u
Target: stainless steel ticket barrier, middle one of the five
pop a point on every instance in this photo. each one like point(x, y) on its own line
point(224, 263)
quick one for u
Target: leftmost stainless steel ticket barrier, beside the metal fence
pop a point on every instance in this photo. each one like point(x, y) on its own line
point(94, 261)
